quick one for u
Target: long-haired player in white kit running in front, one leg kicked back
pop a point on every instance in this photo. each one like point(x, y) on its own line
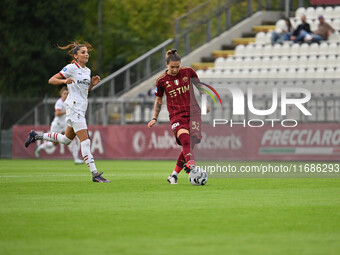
point(79, 82)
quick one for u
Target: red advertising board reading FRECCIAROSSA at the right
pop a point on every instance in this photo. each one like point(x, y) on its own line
point(303, 142)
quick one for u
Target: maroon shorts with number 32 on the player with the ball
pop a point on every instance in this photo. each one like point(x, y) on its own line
point(192, 124)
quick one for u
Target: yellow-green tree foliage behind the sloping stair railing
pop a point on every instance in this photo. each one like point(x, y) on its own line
point(131, 28)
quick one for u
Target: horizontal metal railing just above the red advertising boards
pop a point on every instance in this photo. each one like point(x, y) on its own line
point(325, 107)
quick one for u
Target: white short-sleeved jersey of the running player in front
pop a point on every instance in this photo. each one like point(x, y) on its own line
point(79, 89)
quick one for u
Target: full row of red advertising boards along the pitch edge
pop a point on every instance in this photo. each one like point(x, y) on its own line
point(303, 142)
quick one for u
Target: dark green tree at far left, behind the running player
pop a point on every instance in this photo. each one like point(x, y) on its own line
point(30, 30)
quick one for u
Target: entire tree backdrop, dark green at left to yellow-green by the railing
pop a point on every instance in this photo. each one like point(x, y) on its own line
point(31, 29)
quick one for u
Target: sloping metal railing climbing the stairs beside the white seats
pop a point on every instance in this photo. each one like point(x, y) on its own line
point(193, 29)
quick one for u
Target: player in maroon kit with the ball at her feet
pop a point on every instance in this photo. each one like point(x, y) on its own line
point(184, 111)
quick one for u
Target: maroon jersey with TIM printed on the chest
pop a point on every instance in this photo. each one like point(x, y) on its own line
point(179, 92)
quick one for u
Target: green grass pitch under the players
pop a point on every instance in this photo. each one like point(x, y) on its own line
point(52, 207)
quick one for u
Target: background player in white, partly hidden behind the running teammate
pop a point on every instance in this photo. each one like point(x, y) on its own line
point(59, 125)
